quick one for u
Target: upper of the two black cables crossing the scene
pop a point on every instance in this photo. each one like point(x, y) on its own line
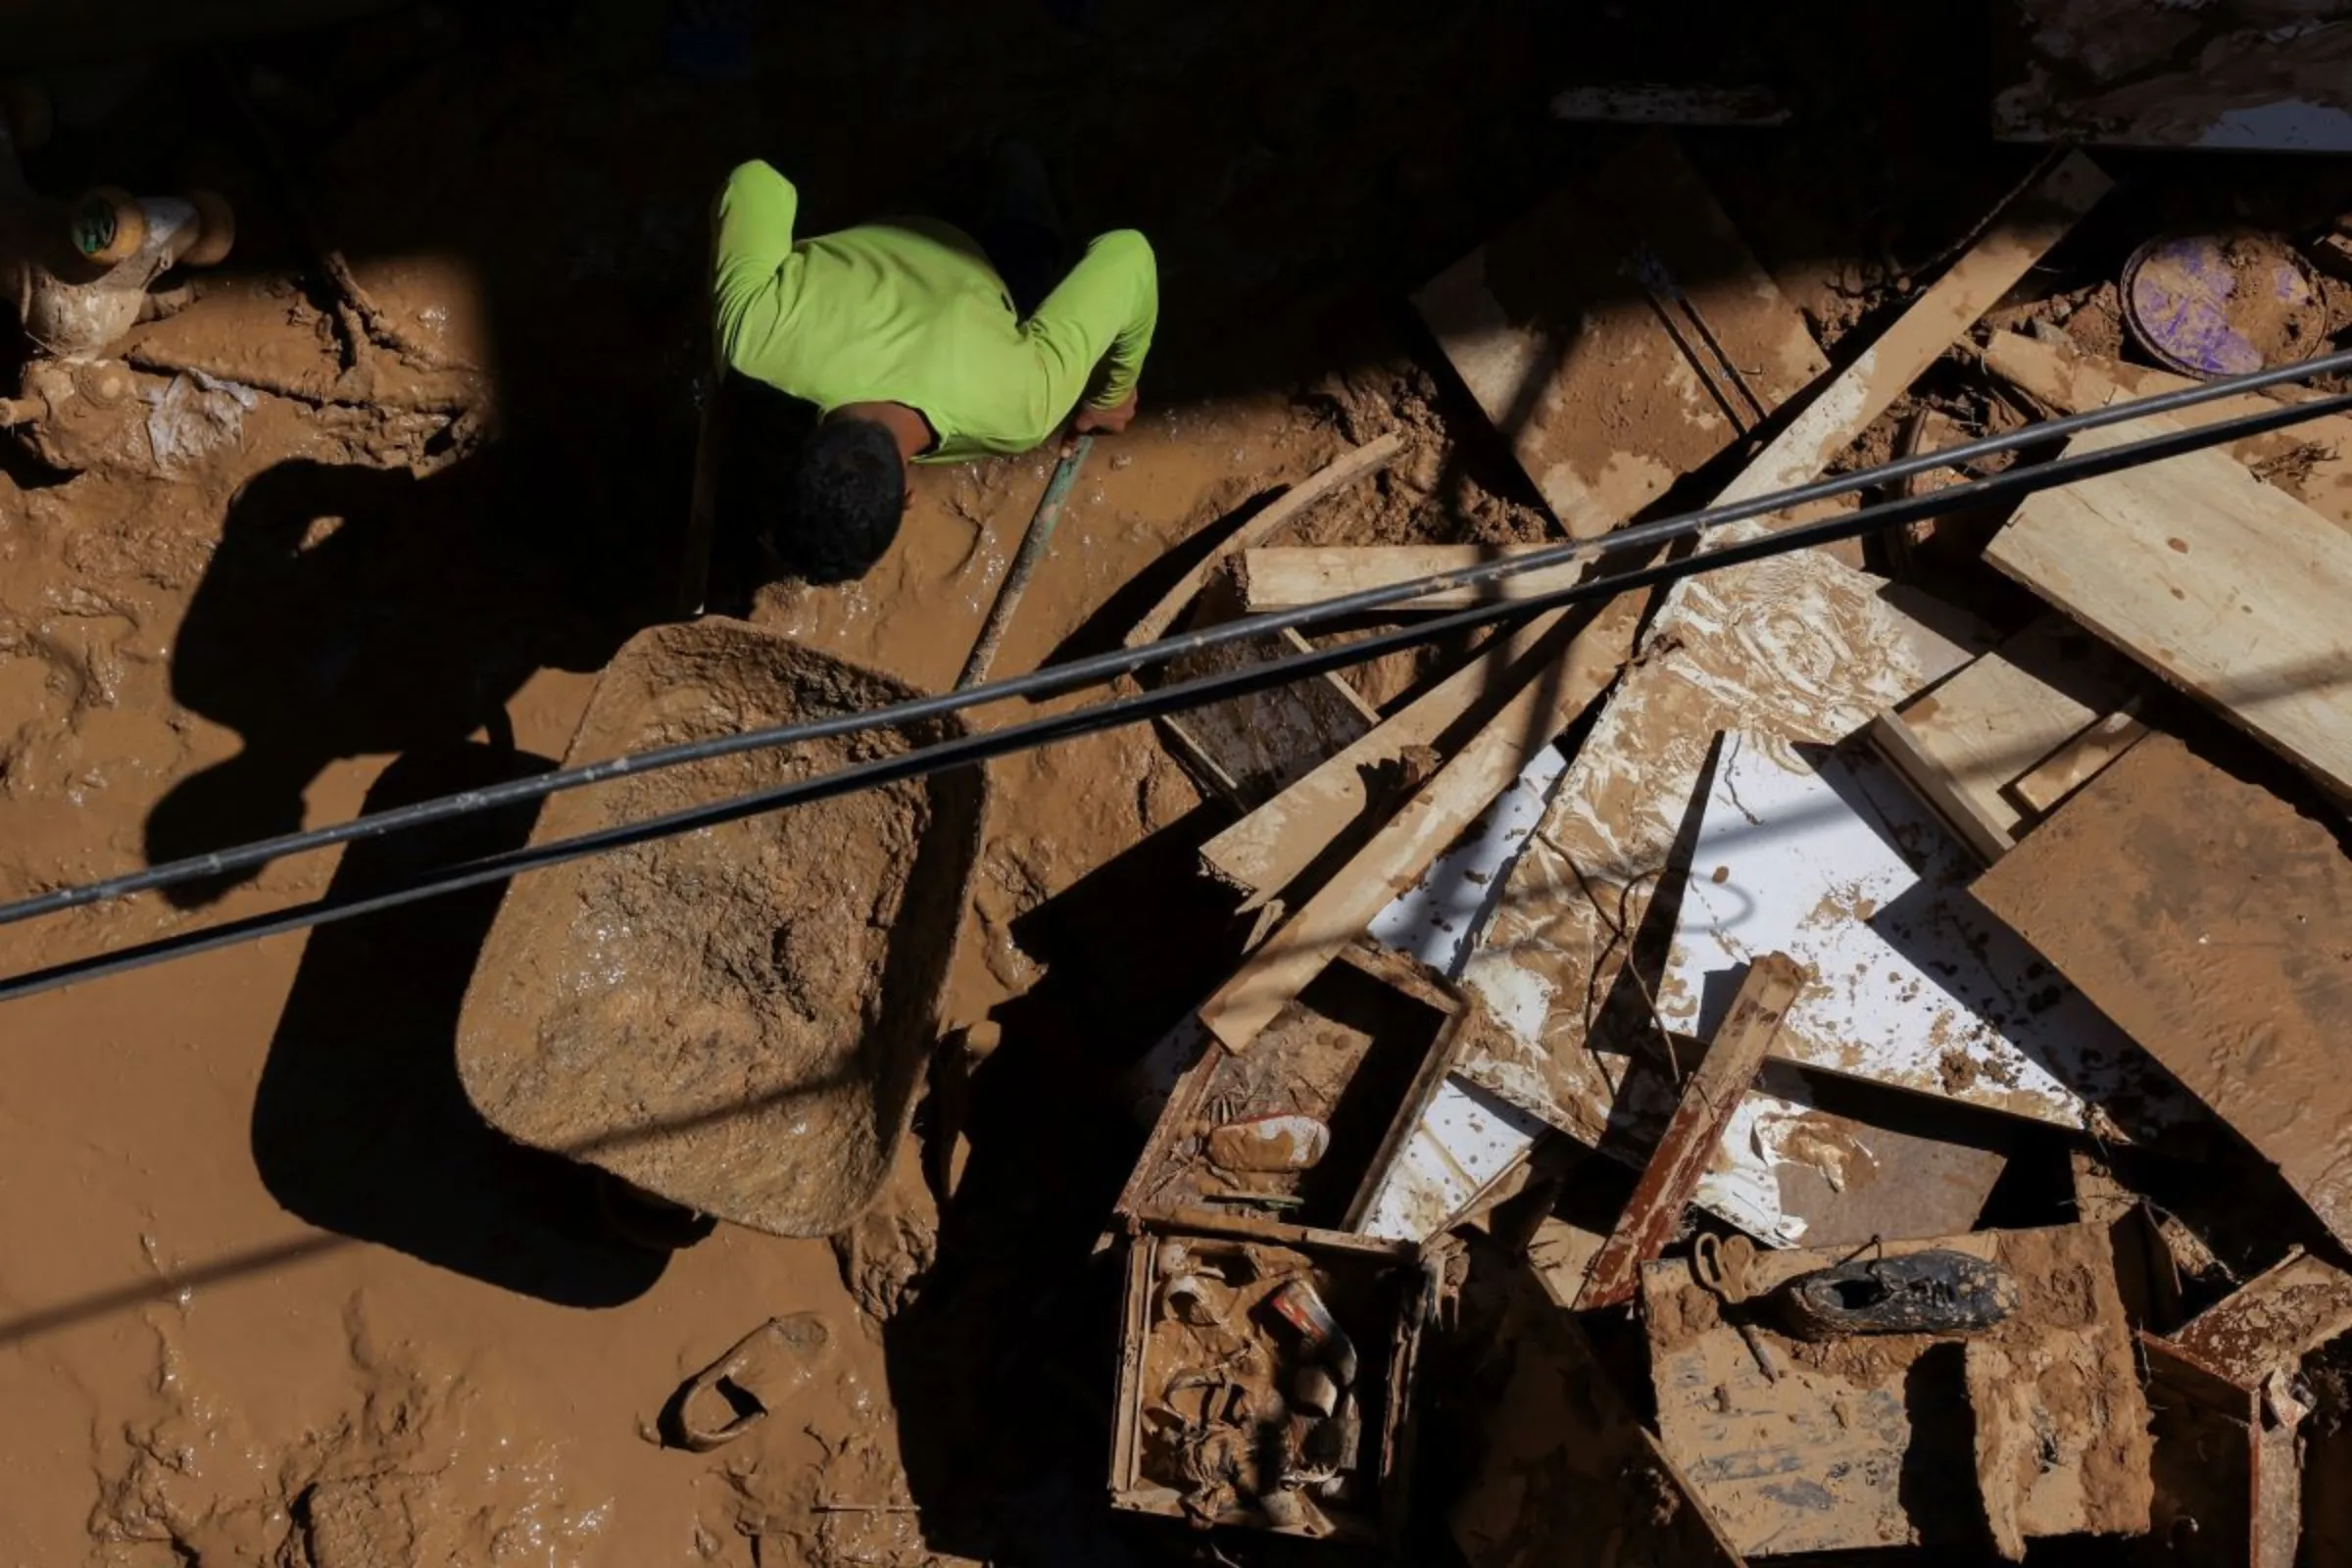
point(1125, 662)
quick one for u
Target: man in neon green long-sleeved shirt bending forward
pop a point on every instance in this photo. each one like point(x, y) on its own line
point(914, 347)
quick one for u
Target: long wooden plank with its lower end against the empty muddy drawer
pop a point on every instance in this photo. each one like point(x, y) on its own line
point(1417, 836)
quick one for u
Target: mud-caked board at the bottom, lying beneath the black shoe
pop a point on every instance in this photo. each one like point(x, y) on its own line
point(1873, 1442)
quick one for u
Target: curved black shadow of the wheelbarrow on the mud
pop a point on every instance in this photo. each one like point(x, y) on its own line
point(361, 1123)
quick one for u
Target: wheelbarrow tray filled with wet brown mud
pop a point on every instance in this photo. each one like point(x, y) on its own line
point(733, 1019)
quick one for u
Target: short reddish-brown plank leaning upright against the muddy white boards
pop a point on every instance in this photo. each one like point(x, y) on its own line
point(1655, 1212)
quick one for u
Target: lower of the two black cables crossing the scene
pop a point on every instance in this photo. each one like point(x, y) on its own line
point(1170, 699)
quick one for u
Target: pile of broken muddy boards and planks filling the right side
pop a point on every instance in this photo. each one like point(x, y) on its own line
point(1742, 1033)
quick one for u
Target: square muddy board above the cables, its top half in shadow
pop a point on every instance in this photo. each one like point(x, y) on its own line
point(1626, 293)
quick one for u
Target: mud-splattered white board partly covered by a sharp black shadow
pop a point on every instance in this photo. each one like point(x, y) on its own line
point(1916, 986)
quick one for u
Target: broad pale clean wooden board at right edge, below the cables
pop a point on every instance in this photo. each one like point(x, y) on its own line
point(2217, 582)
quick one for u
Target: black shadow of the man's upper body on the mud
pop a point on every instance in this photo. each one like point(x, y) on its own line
point(356, 610)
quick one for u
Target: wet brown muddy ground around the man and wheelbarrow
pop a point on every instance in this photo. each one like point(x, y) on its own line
point(272, 1292)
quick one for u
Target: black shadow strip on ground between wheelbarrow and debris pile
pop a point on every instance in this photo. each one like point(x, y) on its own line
point(1003, 1367)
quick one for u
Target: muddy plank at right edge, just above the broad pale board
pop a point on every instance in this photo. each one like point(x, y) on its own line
point(2311, 462)
